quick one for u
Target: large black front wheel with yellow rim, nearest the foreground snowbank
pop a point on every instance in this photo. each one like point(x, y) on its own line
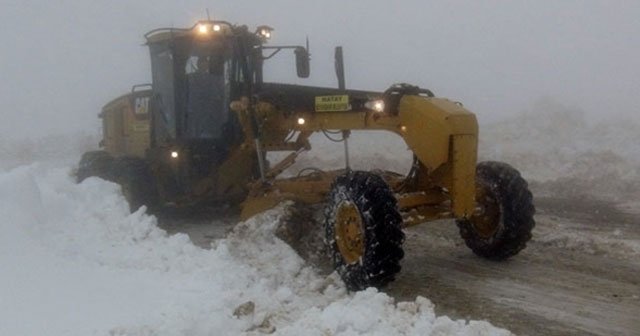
point(362, 207)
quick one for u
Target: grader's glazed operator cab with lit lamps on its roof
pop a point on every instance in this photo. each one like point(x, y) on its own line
point(196, 74)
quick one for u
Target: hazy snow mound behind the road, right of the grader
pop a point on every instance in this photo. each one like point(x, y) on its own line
point(566, 154)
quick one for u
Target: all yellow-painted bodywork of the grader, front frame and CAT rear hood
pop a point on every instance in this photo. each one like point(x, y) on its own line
point(442, 134)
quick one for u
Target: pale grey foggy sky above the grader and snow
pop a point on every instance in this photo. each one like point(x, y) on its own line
point(62, 60)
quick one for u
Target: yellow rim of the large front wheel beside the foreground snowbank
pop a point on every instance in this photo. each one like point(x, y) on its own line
point(349, 233)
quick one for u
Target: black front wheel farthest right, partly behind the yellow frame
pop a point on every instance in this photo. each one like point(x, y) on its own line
point(502, 226)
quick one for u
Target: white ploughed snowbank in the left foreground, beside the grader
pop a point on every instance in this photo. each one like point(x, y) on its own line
point(73, 261)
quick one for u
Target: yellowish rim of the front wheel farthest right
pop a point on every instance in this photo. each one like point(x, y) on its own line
point(486, 217)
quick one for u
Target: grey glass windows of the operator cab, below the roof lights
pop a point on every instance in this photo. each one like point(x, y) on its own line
point(192, 84)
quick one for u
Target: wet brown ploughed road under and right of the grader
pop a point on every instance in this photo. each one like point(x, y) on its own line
point(580, 275)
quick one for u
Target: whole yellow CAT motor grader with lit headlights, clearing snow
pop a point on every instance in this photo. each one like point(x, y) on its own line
point(199, 134)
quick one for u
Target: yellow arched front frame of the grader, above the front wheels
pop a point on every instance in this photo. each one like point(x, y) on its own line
point(441, 133)
